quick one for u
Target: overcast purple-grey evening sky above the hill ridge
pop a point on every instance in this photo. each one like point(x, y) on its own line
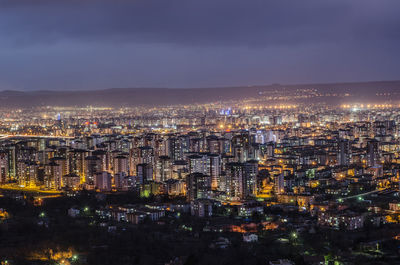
point(95, 44)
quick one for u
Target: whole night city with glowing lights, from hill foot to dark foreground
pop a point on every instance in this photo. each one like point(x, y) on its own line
point(234, 182)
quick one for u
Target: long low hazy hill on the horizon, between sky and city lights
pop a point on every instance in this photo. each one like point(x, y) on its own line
point(116, 97)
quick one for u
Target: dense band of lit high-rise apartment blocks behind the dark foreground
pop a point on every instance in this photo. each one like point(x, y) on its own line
point(314, 158)
